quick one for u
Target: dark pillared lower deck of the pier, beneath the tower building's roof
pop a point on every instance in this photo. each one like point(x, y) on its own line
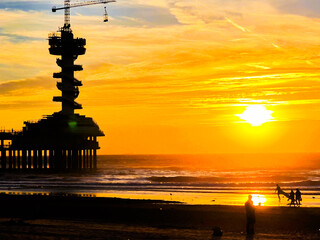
point(18, 154)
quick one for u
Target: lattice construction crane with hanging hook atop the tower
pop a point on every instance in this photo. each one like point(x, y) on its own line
point(68, 5)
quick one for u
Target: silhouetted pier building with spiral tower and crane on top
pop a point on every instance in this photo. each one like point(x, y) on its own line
point(64, 140)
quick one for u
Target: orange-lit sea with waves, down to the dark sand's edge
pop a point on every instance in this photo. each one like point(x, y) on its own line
point(185, 179)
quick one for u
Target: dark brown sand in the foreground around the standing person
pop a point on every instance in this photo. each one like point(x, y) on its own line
point(70, 217)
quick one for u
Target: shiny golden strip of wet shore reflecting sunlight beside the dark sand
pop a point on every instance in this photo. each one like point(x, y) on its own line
point(188, 197)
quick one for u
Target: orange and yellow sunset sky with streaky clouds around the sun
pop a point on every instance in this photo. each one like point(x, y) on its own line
point(172, 76)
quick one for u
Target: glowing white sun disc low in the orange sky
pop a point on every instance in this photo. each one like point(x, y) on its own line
point(256, 115)
